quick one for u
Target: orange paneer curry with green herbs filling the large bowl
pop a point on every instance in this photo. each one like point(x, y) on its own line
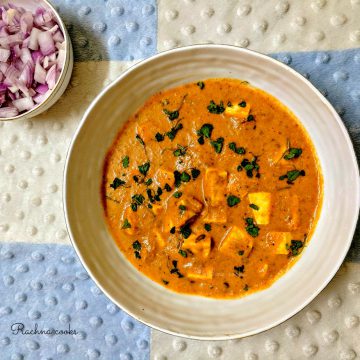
point(212, 188)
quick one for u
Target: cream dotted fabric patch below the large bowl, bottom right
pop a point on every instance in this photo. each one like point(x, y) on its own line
point(328, 328)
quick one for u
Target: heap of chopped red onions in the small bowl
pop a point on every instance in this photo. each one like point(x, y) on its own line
point(32, 56)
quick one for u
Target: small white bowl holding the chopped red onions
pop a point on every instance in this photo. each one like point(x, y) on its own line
point(66, 72)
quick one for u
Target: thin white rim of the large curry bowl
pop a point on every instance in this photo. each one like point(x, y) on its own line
point(354, 162)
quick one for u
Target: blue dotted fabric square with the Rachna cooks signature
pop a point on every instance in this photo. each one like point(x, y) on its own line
point(45, 287)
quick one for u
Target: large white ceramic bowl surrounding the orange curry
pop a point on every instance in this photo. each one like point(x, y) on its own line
point(194, 316)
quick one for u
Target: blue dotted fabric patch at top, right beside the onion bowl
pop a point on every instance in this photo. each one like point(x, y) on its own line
point(110, 29)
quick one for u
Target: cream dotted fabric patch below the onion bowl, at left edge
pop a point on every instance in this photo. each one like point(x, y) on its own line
point(32, 156)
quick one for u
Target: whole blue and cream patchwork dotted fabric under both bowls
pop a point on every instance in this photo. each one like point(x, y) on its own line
point(41, 279)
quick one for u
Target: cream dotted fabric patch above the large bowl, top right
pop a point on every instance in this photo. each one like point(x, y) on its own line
point(266, 26)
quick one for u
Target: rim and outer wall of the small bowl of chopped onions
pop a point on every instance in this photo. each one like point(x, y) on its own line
point(64, 70)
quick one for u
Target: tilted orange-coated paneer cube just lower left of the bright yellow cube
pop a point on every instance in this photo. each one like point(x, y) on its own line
point(236, 242)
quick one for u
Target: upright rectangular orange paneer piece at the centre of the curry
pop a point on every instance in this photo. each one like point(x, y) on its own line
point(214, 185)
